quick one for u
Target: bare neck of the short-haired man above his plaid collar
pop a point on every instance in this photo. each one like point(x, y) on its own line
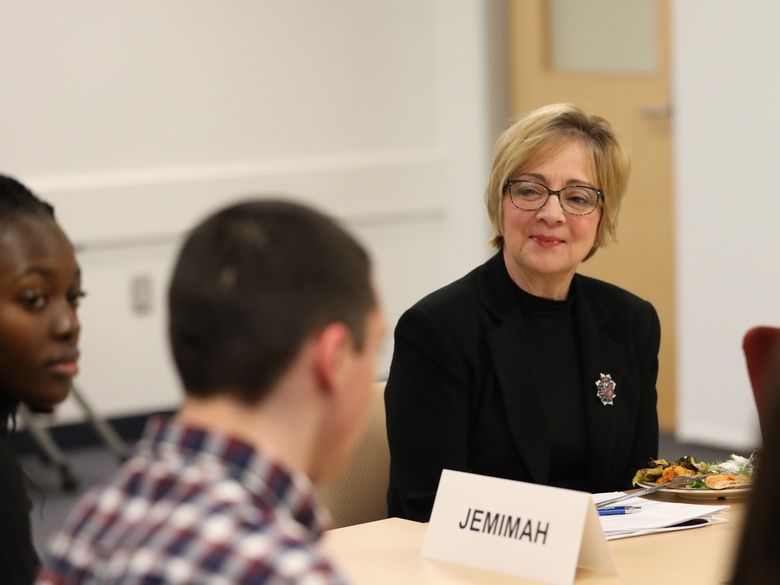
point(276, 427)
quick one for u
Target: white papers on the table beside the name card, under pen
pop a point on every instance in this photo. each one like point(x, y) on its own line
point(657, 517)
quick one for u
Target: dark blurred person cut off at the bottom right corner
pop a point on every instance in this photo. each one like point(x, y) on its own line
point(758, 562)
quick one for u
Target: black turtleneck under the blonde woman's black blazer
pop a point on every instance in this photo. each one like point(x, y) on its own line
point(551, 331)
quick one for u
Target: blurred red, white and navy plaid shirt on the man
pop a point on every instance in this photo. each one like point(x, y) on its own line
point(192, 507)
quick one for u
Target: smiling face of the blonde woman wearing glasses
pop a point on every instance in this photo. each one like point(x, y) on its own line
point(543, 248)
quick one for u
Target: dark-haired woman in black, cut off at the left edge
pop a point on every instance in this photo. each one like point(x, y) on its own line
point(40, 289)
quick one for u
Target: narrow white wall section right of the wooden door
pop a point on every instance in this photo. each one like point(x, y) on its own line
point(727, 143)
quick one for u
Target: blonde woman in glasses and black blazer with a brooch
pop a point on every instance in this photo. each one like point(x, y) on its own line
point(524, 369)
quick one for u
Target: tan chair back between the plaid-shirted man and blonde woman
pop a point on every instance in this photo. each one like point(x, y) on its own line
point(359, 494)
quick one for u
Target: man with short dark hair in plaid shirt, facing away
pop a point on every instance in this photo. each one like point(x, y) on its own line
point(275, 330)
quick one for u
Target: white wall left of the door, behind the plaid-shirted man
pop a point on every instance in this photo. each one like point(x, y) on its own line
point(137, 118)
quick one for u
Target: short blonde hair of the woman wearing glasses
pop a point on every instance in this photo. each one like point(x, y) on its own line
point(543, 133)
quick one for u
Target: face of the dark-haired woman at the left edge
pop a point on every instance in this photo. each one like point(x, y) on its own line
point(40, 288)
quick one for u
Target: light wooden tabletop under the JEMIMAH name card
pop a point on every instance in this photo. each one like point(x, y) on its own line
point(388, 551)
